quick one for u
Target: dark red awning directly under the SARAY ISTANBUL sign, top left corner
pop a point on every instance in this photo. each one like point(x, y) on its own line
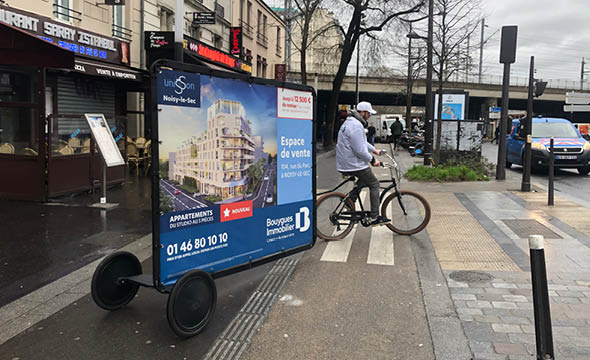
point(18, 47)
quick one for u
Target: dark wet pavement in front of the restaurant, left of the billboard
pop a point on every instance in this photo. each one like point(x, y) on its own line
point(43, 242)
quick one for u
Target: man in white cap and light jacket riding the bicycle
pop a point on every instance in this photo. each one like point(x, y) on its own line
point(353, 155)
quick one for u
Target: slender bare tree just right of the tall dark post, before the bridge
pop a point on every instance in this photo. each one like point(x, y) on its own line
point(454, 26)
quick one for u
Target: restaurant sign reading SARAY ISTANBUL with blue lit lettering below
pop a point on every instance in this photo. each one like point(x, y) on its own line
point(83, 43)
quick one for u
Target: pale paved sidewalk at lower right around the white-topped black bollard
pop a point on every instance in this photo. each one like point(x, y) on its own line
point(497, 315)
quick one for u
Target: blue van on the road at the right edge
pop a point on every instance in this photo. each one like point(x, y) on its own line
point(571, 149)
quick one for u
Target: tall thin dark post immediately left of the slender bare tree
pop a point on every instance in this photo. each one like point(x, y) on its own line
point(429, 98)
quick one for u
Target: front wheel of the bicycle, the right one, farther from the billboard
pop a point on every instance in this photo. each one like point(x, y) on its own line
point(409, 212)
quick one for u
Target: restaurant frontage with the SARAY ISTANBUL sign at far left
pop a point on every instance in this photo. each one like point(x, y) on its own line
point(64, 58)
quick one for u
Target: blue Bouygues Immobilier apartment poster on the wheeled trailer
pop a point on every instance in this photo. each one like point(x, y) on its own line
point(235, 166)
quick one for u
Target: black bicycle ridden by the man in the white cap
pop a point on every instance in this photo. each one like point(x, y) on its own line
point(336, 214)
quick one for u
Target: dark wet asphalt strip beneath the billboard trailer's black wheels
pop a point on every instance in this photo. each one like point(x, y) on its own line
point(139, 331)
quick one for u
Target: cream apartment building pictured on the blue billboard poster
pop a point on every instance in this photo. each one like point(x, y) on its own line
point(218, 159)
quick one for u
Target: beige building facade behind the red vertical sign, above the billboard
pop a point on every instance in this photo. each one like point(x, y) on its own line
point(263, 36)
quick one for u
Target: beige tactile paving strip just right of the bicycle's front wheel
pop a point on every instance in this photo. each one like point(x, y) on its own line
point(459, 240)
